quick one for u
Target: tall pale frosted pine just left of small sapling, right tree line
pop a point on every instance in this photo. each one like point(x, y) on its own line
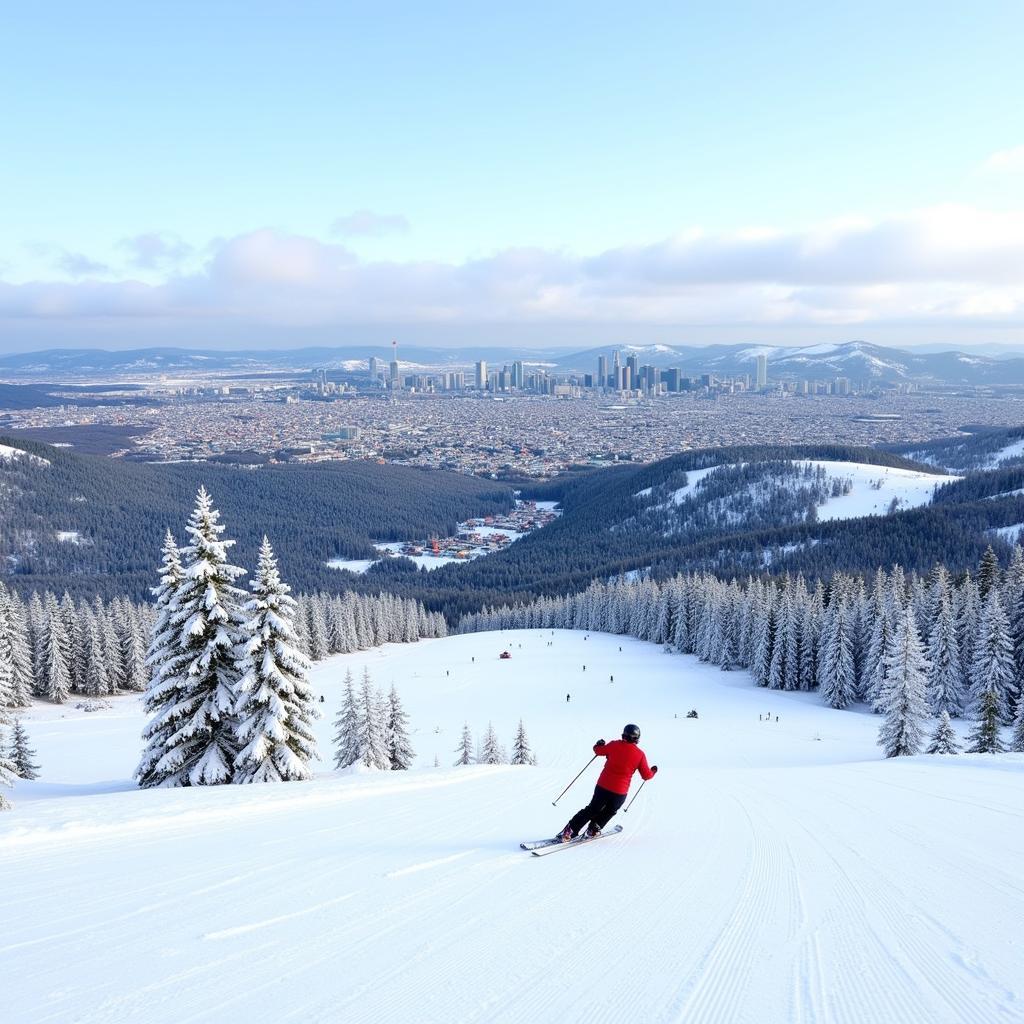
point(904, 700)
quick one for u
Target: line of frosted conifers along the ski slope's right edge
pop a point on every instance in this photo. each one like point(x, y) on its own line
point(910, 647)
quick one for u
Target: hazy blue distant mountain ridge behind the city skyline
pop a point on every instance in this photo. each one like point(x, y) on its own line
point(855, 360)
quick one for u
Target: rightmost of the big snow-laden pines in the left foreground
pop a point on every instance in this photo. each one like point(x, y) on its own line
point(275, 708)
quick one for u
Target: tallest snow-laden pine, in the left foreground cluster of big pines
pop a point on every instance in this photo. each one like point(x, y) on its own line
point(199, 680)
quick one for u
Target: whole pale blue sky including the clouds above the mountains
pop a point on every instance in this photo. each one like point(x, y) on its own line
point(266, 175)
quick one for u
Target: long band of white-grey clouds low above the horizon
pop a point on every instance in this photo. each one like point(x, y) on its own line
point(941, 266)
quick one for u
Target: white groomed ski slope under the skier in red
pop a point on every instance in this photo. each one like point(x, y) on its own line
point(774, 872)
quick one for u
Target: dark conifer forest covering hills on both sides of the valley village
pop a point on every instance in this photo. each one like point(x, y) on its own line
point(754, 517)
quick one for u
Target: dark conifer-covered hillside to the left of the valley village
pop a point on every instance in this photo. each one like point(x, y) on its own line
point(119, 513)
